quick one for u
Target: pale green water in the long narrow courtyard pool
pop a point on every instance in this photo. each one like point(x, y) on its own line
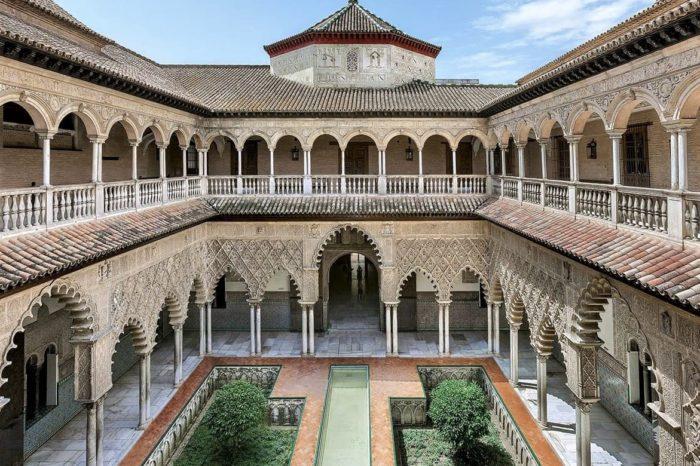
point(345, 432)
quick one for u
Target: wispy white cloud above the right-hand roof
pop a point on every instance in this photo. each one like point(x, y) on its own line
point(557, 21)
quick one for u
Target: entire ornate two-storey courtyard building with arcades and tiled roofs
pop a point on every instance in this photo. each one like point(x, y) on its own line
point(144, 205)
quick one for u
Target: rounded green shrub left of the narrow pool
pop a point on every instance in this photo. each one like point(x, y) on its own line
point(236, 415)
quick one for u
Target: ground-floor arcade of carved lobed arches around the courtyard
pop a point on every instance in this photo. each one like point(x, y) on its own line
point(401, 289)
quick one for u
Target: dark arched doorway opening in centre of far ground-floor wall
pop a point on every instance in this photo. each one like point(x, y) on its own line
point(353, 293)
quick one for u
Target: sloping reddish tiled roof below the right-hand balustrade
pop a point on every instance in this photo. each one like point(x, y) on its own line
point(652, 264)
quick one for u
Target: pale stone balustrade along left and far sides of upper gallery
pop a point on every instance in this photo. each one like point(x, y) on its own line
point(32, 209)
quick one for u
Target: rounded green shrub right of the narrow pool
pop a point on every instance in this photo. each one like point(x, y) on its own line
point(459, 412)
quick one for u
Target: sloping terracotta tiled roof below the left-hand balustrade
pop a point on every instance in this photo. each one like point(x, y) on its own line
point(35, 256)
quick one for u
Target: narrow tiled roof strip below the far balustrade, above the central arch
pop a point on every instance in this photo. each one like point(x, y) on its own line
point(349, 206)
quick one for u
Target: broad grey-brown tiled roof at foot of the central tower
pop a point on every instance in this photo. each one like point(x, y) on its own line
point(253, 89)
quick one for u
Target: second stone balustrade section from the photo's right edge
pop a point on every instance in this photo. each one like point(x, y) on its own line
point(643, 209)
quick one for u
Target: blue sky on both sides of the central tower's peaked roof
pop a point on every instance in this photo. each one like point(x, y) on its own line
point(495, 41)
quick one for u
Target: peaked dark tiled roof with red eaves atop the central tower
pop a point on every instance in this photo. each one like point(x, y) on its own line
point(351, 23)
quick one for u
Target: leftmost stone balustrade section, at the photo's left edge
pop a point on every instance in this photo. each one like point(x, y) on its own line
point(23, 210)
